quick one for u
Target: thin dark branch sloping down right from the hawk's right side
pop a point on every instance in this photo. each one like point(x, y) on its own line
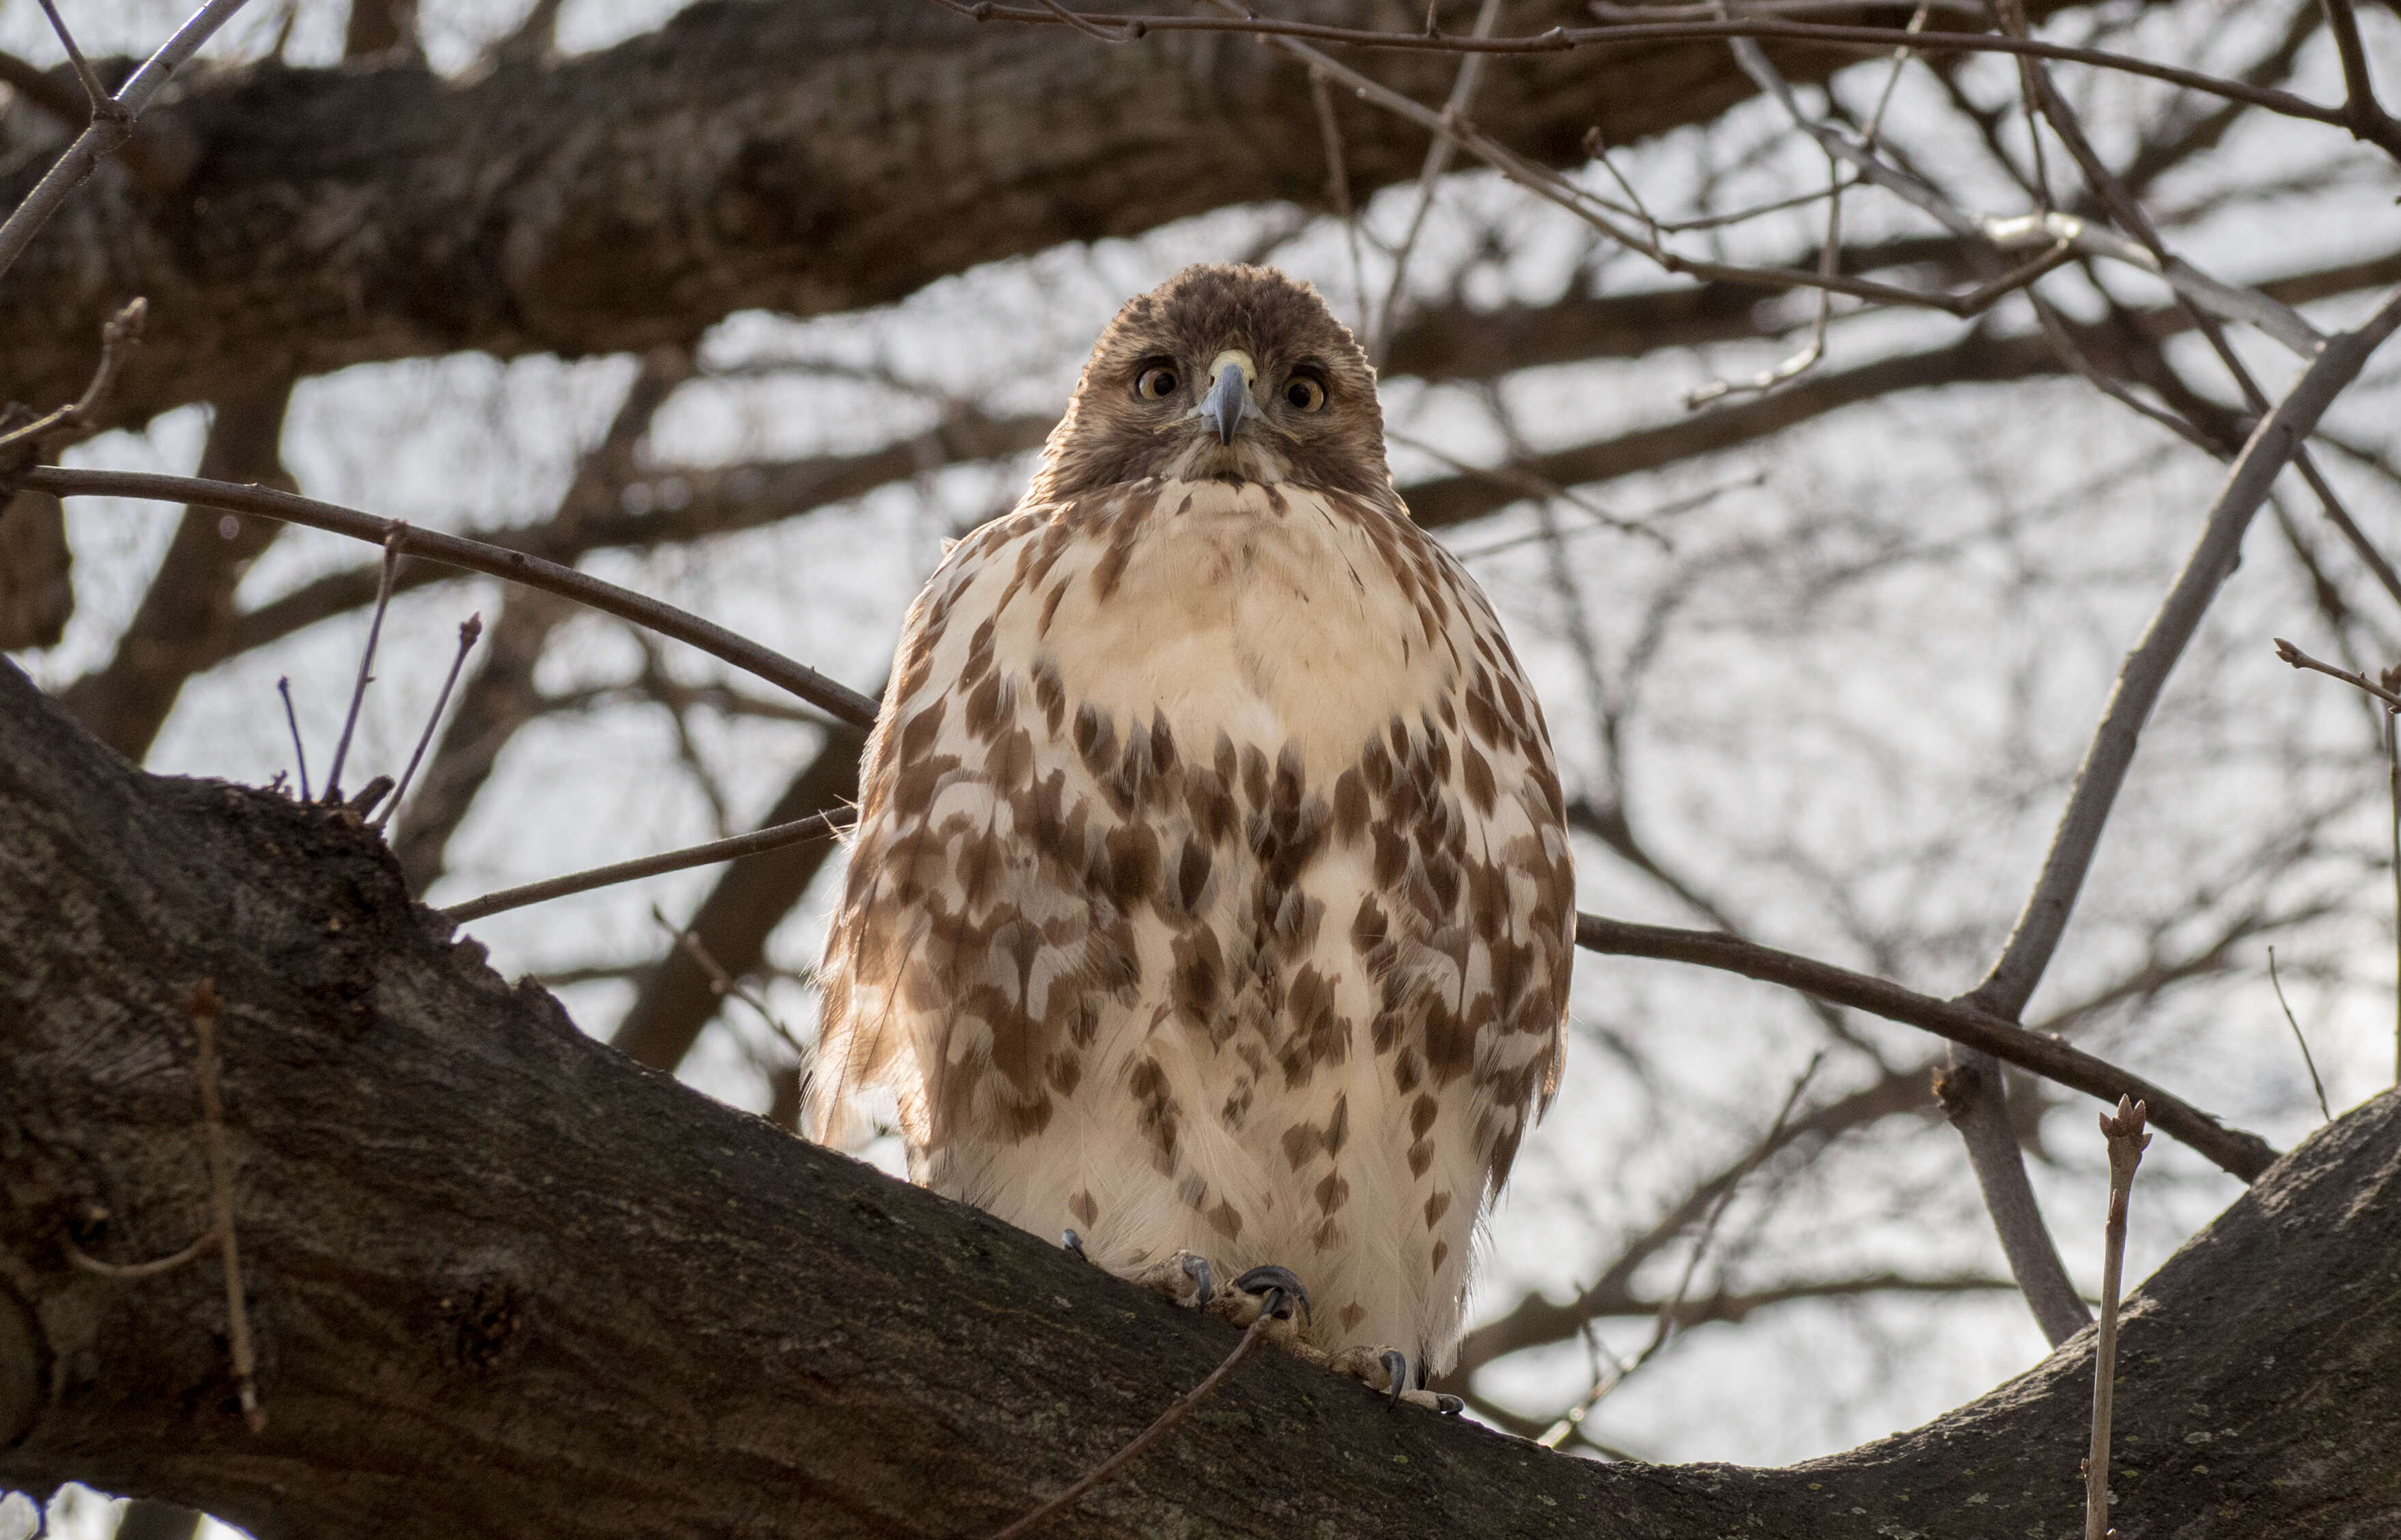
point(1958, 1020)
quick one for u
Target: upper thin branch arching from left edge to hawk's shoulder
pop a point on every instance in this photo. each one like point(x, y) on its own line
point(477, 556)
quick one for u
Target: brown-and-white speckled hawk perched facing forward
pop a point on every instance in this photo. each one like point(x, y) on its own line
point(1211, 897)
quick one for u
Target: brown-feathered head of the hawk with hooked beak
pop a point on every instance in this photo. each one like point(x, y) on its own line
point(1233, 374)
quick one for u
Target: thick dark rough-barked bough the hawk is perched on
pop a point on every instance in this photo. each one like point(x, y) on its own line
point(510, 1284)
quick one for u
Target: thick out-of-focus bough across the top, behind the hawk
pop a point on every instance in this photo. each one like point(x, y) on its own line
point(746, 155)
